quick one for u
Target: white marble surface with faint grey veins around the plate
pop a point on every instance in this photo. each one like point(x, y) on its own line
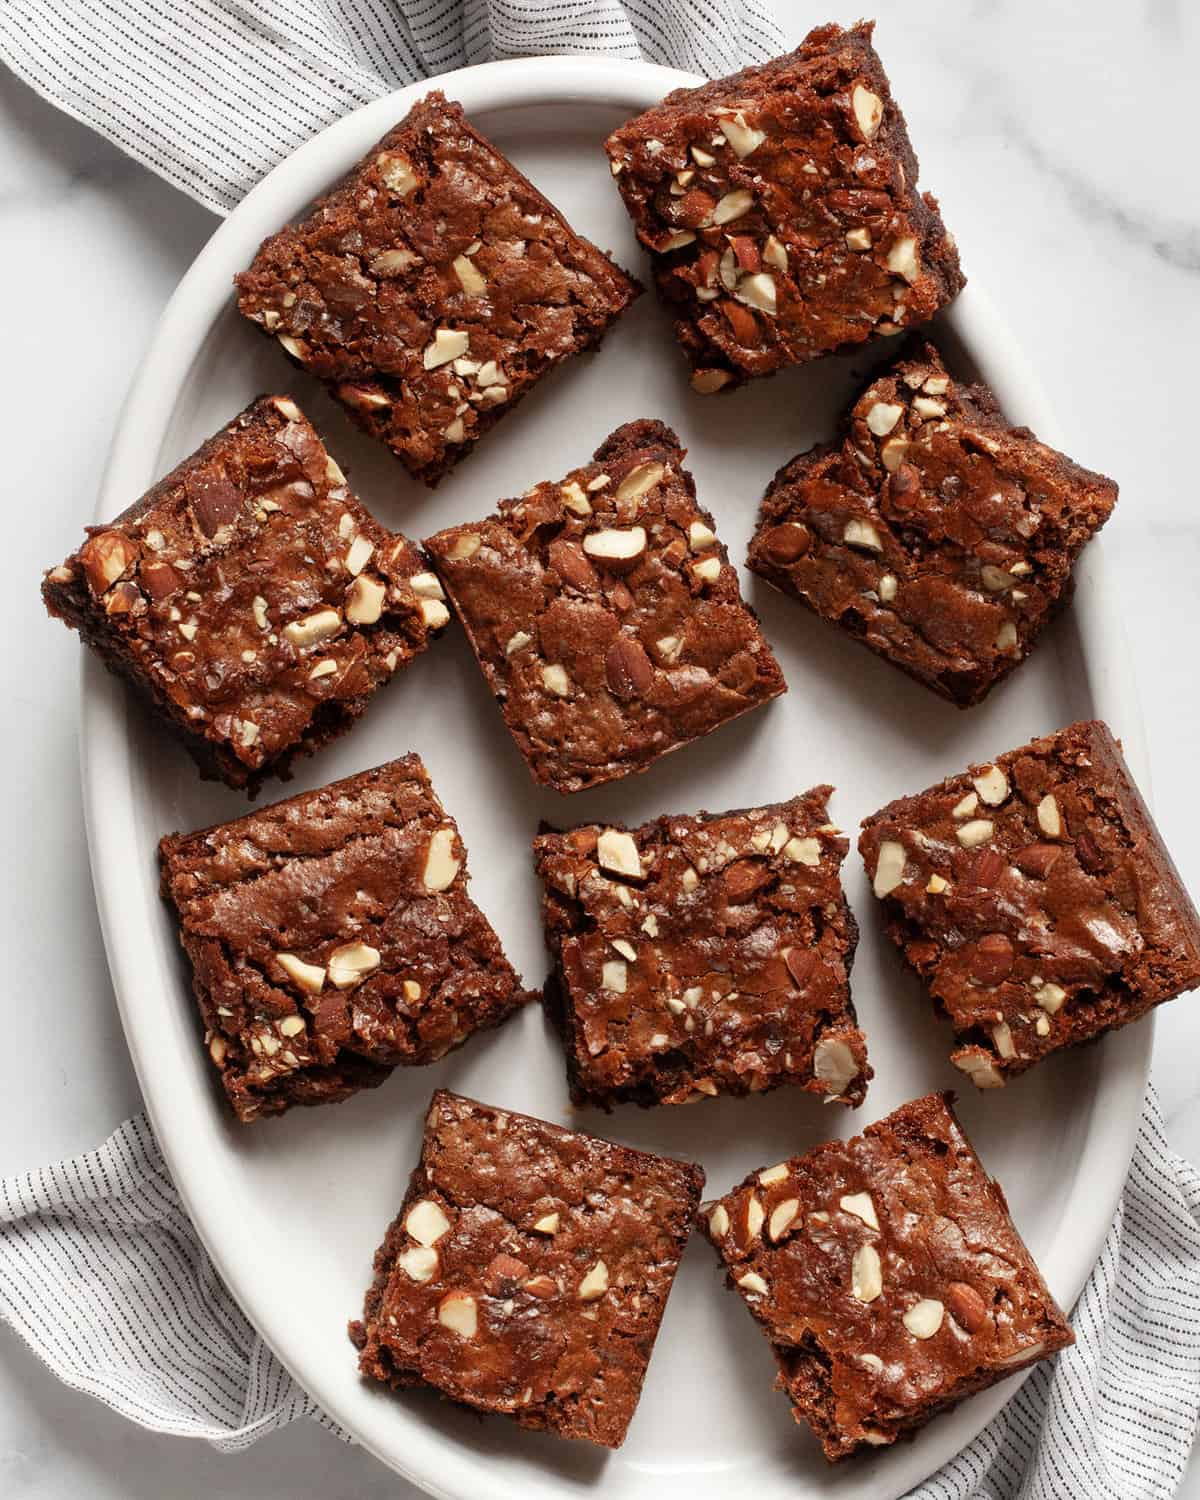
point(1058, 139)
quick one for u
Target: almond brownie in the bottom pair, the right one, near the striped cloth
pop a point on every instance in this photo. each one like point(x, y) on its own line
point(889, 1277)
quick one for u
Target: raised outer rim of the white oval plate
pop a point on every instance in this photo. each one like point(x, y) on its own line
point(428, 1460)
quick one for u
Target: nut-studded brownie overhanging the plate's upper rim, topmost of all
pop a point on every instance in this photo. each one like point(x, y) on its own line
point(782, 212)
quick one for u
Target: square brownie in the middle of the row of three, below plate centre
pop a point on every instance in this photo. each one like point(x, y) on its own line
point(701, 956)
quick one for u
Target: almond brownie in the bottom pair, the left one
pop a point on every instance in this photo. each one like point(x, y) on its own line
point(527, 1271)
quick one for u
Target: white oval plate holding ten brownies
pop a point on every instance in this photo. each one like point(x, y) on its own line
point(292, 1210)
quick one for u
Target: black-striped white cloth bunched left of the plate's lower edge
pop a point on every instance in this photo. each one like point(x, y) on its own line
point(103, 1276)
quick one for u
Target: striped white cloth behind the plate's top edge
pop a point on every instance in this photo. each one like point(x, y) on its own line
point(211, 95)
